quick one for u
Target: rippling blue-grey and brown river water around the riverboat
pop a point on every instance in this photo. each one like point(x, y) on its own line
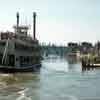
point(58, 79)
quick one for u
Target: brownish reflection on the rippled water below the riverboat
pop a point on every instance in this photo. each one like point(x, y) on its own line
point(15, 85)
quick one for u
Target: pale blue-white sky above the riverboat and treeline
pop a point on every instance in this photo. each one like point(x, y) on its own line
point(58, 21)
